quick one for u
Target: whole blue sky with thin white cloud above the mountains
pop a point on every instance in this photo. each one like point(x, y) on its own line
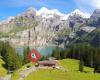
point(15, 7)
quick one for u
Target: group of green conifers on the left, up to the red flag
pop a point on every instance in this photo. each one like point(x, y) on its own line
point(13, 60)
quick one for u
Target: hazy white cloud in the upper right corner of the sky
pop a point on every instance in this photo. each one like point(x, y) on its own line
point(88, 5)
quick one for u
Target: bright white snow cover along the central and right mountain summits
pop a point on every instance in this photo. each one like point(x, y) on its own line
point(47, 13)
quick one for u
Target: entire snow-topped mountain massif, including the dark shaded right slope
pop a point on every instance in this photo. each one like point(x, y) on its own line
point(46, 27)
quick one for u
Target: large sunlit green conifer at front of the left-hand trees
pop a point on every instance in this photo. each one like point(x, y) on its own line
point(13, 59)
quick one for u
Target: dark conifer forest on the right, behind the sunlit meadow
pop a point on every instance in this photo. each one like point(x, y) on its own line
point(87, 54)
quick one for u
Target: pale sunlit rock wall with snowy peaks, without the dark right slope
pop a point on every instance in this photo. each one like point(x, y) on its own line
point(43, 27)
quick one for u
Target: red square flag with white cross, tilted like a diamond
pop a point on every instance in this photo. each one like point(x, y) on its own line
point(34, 55)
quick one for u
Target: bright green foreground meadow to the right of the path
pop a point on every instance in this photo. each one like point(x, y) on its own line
point(72, 73)
